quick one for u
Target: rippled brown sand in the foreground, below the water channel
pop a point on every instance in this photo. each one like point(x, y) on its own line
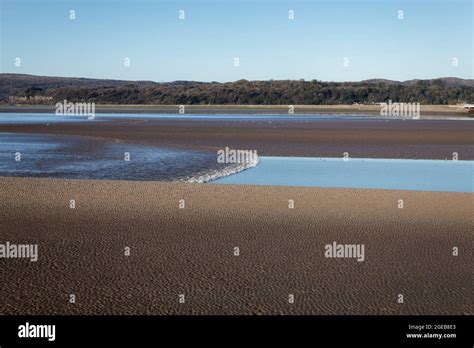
point(190, 251)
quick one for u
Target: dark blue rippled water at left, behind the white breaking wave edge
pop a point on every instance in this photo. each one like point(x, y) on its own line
point(72, 157)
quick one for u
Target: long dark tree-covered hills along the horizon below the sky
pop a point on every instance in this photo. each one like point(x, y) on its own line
point(30, 89)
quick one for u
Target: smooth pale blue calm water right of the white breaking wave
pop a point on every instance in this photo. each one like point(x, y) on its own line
point(397, 174)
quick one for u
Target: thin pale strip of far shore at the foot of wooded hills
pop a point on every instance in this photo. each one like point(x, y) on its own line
point(371, 110)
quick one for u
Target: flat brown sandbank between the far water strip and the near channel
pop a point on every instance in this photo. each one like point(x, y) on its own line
point(427, 139)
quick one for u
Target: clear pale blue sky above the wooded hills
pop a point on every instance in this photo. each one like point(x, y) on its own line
point(269, 45)
